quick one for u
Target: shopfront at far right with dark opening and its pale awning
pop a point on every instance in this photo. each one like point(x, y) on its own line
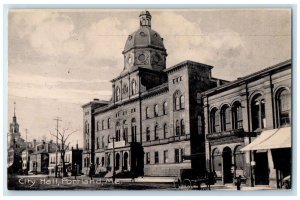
point(272, 161)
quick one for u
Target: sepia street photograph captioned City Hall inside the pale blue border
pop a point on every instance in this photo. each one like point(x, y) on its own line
point(149, 99)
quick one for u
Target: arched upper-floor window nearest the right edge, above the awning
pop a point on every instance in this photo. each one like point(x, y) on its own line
point(284, 107)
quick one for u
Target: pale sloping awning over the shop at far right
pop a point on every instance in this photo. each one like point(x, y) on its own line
point(271, 139)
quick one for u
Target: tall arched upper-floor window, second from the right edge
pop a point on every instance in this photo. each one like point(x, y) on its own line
point(258, 112)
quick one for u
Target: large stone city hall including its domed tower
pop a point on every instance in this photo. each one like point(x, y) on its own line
point(152, 120)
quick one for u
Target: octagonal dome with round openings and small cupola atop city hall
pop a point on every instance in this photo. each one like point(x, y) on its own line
point(144, 47)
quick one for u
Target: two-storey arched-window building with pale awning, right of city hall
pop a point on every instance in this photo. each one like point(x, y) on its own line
point(248, 127)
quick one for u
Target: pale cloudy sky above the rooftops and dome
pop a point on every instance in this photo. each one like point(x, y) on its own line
point(61, 59)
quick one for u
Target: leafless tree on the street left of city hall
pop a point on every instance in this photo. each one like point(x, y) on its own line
point(62, 138)
